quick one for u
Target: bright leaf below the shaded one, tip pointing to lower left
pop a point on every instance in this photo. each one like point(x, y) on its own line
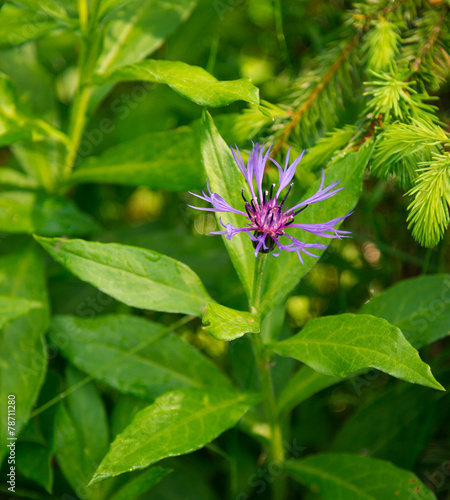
point(177, 423)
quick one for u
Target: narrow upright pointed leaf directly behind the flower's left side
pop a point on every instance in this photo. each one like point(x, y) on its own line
point(226, 180)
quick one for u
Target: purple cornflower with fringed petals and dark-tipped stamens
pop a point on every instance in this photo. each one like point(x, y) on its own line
point(267, 218)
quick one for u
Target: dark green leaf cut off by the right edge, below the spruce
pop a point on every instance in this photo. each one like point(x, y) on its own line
point(420, 307)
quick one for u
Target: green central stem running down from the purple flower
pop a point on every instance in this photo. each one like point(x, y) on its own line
point(263, 360)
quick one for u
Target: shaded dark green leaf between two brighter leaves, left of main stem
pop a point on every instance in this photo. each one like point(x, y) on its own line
point(133, 355)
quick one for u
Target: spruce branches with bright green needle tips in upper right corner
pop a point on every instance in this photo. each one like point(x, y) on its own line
point(377, 82)
